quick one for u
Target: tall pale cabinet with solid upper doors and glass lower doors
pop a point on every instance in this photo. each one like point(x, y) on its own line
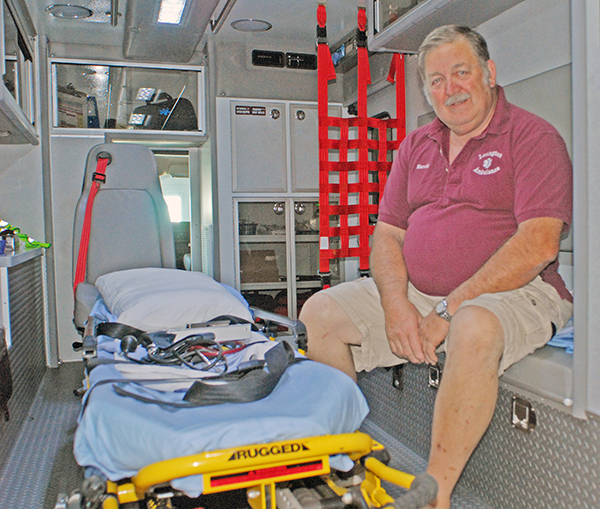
point(268, 180)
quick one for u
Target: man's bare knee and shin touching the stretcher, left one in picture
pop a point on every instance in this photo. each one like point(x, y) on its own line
point(330, 333)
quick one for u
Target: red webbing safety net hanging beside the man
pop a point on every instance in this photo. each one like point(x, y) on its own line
point(355, 157)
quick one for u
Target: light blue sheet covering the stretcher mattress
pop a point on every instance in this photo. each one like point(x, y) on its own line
point(119, 435)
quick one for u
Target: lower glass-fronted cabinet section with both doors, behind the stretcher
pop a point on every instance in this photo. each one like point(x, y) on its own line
point(278, 253)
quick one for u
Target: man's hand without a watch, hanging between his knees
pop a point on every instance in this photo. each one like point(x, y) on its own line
point(402, 329)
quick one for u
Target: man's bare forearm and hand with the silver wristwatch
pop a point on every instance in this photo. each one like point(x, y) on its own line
point(530, 250)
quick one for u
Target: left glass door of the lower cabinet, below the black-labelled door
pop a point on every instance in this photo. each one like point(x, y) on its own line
point(263, 258)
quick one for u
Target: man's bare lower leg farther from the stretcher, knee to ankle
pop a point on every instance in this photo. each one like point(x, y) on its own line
point(466, 399)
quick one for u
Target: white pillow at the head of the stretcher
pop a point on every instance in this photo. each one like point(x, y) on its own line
point(154, 299)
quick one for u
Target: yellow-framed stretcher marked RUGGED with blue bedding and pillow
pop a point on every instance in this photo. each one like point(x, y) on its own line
point(145, 444)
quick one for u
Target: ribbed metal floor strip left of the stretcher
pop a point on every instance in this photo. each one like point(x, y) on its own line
point(41, 463)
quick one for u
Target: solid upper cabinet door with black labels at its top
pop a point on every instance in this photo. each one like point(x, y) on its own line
point(258, 146)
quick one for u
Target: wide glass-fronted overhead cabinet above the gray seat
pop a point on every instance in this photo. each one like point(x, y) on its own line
point(97, 96)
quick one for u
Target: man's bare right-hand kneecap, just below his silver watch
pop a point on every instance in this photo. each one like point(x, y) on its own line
point(476, 333)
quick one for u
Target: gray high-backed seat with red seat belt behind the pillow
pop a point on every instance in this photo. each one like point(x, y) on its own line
point(130, 226)
